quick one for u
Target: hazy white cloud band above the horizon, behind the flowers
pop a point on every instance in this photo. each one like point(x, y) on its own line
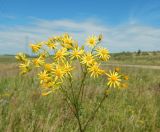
point(127, 37)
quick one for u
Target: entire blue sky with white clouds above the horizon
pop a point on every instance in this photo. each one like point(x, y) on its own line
point(127, 25)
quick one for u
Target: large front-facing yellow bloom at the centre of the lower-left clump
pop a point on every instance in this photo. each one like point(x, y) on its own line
point(58, 72)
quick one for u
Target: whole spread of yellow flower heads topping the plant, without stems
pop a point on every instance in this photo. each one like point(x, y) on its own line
point(55, 58)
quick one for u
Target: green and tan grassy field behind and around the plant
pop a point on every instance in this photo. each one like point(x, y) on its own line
point(137, 109)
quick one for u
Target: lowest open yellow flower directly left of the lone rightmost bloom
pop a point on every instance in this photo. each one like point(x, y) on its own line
point(95, 70)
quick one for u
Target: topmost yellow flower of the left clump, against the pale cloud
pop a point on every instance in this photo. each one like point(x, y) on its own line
point(67, 41)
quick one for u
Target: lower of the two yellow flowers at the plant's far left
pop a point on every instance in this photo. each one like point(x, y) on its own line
point(25, 67)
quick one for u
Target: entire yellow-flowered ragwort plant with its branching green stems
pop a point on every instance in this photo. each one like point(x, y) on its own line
point(56, 60)
